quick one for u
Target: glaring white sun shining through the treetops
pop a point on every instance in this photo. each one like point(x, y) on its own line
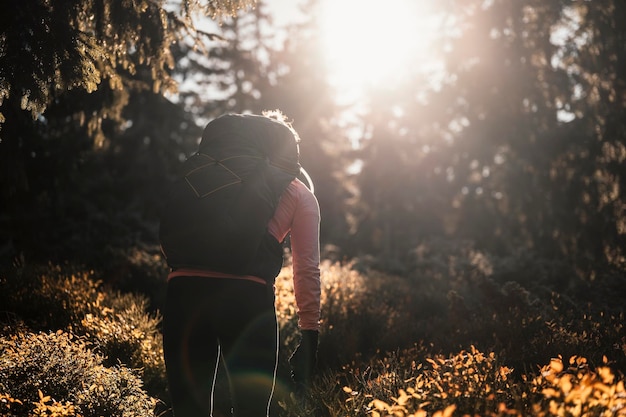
point(367, 43)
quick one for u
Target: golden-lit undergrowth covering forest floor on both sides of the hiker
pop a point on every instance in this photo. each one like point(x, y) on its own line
point(462, 334)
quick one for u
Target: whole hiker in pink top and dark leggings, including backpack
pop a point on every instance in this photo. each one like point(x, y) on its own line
point(222, 233)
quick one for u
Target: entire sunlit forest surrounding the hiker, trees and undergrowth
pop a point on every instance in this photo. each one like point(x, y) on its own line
point(472, 196)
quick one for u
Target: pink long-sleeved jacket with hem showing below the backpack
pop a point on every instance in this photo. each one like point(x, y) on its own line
point(297, 213)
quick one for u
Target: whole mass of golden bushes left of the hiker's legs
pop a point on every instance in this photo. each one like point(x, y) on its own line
point(70, 346)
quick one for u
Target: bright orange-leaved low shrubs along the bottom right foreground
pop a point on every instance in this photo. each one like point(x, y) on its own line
point(413, 383)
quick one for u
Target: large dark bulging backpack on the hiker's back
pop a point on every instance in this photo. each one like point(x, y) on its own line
point(216, 213)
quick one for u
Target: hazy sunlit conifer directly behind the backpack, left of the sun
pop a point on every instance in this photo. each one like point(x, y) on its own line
point(298, 85)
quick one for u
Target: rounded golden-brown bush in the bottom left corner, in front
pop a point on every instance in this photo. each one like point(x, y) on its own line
point(48, 373)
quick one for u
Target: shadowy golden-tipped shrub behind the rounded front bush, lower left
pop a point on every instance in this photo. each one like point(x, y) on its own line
point(67, 298)
